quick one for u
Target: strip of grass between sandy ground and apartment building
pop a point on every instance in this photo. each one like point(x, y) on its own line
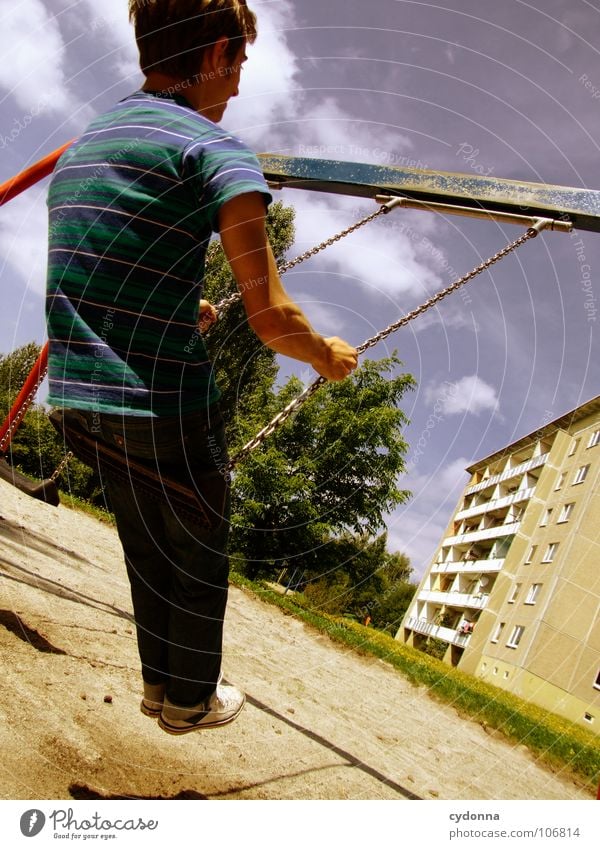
point(560, 744)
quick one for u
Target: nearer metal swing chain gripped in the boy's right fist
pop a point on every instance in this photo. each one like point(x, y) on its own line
point(294, 405)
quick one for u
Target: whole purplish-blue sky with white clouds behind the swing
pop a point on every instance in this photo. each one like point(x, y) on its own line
point(509, 89)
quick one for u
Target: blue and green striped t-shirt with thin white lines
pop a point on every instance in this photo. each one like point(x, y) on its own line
point(132, 205)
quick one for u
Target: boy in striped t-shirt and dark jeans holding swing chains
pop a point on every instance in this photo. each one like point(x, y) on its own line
point(132, 205)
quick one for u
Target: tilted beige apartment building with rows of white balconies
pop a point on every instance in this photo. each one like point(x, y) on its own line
point(514, 587)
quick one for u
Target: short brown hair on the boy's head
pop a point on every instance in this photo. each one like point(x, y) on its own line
point(172, 35)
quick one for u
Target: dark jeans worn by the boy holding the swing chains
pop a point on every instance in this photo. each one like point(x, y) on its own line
point(178, 569)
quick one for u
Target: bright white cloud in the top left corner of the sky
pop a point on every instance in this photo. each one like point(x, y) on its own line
point(33, 57)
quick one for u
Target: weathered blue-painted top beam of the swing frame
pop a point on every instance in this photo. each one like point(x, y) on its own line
point(581, 207)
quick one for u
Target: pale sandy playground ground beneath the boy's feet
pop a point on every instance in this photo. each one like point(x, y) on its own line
point(321, 722)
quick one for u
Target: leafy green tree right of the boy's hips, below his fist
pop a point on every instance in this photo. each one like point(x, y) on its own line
point(330, 470)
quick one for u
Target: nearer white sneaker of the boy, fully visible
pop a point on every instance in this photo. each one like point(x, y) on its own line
point(223, 706)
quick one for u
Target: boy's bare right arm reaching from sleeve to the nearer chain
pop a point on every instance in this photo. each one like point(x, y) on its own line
point(275, 318)
